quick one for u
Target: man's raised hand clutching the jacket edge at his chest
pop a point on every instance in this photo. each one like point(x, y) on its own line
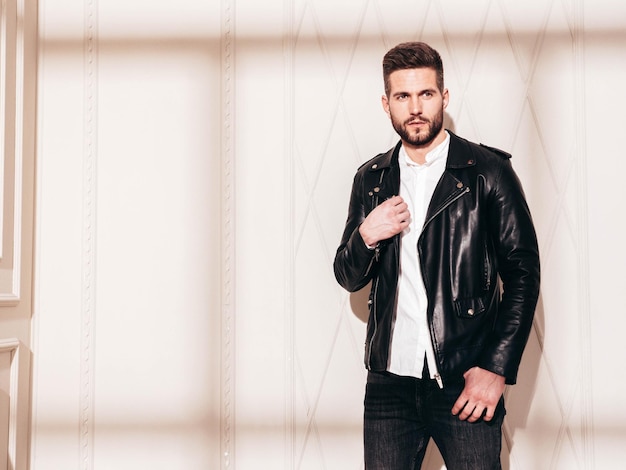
point(386, 220)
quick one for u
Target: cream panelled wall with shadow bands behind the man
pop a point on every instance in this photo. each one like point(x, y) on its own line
point(195, 161)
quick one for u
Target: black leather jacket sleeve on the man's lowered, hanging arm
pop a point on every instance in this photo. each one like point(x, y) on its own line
point(517, 252)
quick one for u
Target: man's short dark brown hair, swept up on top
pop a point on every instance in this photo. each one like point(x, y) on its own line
point(412, 55)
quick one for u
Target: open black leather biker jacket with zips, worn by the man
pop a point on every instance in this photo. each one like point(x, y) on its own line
point(478, 237)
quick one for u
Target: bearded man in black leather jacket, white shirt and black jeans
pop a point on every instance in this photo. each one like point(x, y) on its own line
point(441, 228)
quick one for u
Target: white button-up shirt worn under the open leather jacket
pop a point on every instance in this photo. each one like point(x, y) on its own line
point(411, 341)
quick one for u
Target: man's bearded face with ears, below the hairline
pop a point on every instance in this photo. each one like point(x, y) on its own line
point(415, 105)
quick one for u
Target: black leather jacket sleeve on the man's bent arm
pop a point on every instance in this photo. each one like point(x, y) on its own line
point(354, 261)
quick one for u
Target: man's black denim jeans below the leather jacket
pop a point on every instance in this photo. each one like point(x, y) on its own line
point(403, 413)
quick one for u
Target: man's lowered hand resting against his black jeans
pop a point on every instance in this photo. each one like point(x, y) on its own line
point(480, 396)
